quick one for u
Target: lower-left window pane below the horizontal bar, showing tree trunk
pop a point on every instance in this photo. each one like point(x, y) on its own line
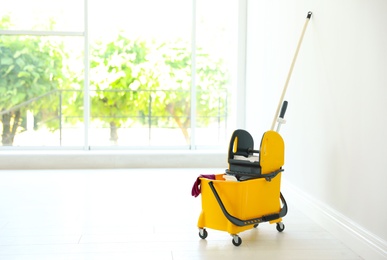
point(38, 79)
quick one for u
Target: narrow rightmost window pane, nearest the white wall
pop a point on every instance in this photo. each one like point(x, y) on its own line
point(217, 24)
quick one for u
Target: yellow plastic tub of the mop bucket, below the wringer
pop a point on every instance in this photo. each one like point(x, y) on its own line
point(244, 200)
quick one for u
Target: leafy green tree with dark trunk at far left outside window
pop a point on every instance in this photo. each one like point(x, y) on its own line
point(31, 68)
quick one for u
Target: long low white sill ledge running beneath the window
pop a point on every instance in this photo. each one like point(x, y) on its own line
point(82, 159)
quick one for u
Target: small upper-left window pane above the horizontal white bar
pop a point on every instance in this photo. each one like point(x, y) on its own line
point(59, 15)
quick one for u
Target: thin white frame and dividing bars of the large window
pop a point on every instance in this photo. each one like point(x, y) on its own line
point(238, 98)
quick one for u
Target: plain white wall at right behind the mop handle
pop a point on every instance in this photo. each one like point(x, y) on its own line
point(335, 134)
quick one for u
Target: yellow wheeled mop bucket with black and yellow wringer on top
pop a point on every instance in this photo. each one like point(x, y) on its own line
point(254, 196)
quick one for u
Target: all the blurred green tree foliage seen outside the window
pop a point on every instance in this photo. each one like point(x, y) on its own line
point(132, 81)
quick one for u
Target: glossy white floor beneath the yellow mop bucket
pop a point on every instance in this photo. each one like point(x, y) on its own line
point(136, 214)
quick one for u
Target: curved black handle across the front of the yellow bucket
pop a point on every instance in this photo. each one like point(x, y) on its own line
point(239, 222)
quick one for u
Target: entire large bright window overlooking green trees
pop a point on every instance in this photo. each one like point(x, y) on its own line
point(110, 74)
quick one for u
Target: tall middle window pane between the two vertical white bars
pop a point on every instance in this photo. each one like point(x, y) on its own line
point(140, 73)
